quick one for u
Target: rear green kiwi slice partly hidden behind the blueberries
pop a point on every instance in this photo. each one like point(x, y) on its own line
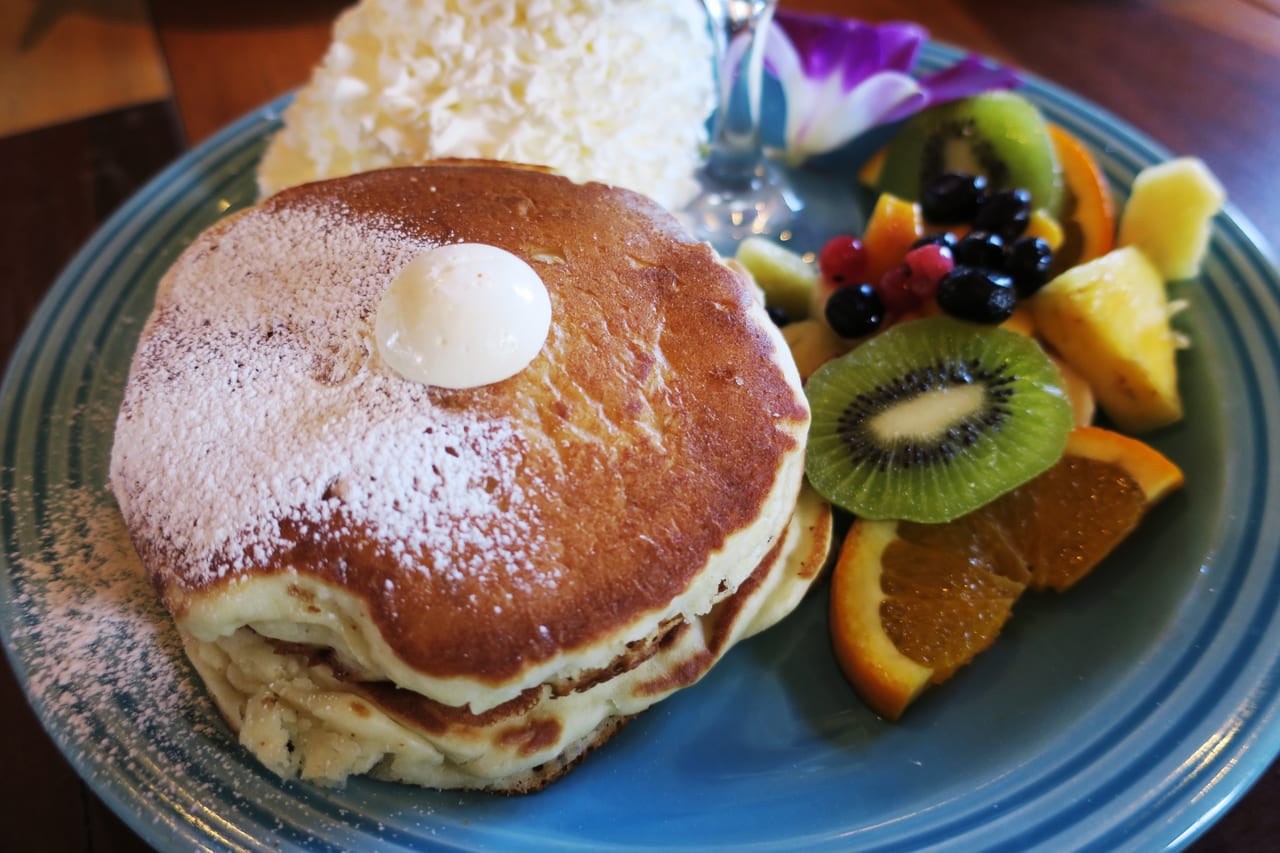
point(999, 135)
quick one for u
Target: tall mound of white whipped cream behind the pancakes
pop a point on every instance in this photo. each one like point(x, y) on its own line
point(616, 92)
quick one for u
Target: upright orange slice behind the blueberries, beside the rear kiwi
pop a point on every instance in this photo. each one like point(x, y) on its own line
point(1089, 213)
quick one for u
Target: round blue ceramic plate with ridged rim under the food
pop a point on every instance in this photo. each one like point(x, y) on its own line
point(1126, 714)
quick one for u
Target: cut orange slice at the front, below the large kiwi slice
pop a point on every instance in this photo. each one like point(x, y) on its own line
point(911, 604)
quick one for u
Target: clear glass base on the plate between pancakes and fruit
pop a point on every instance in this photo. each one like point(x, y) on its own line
point(725, 215)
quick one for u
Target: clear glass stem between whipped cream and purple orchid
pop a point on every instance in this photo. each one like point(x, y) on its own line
point(737, 149)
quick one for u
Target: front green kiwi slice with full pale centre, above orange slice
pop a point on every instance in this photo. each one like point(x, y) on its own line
point(932, 419)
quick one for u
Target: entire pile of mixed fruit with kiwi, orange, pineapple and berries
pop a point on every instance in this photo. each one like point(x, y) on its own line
point(912, 423)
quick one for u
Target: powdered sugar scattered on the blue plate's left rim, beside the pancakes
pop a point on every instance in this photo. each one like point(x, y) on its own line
point(106, 670)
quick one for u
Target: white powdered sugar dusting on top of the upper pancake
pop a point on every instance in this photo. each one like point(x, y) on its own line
point(258, 399)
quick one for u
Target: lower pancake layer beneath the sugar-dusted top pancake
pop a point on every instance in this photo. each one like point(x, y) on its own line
point(304, 714)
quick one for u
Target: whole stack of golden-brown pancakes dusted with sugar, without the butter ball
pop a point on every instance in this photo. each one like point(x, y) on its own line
point(460, 589)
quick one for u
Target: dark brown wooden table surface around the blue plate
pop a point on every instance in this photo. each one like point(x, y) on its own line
point(95, 97)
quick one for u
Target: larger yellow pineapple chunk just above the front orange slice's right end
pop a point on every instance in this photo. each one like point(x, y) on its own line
point(1109, 321)
